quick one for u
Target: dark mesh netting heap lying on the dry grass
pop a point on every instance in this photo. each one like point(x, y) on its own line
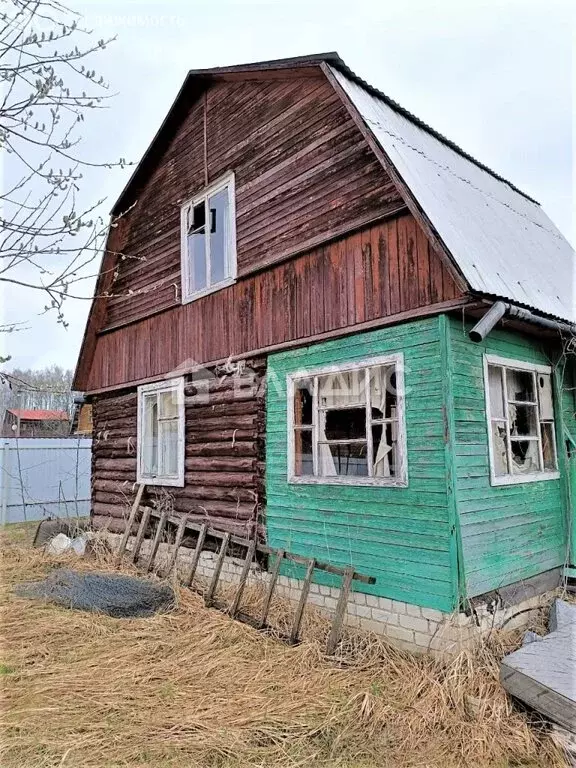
point(113, 594)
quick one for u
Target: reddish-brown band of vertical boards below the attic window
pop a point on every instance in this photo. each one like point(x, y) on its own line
point(384, 270)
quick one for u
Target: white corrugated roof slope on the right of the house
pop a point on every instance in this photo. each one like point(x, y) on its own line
point(502, 241)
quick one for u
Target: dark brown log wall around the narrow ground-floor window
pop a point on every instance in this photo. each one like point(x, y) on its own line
point(224, 473)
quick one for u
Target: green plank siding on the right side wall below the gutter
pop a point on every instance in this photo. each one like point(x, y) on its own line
point(510, 532)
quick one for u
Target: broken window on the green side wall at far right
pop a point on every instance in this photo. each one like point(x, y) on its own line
point(521, 420)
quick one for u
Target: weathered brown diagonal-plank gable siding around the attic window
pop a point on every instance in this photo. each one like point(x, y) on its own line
point(303, 170)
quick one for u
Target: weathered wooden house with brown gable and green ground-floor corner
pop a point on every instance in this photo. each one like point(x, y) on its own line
point(321, 323)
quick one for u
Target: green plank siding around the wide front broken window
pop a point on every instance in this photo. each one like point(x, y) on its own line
point(402, 536)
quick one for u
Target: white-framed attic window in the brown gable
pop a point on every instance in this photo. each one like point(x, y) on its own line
point(208, 242)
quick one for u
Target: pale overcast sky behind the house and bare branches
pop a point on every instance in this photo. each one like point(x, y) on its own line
point(498, 77)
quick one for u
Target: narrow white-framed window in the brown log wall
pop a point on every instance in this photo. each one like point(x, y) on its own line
point(161, 433)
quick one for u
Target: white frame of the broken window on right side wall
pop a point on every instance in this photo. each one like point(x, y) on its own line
point(519, 365)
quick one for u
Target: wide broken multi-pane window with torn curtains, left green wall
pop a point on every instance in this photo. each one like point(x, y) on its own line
point(346, 424)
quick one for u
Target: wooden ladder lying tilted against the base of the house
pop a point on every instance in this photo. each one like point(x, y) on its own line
point(252, 548)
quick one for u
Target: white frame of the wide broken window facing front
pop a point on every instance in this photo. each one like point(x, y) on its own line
point(400, 481)
